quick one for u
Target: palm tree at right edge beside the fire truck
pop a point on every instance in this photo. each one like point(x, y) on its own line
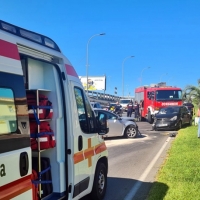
point(192, 93)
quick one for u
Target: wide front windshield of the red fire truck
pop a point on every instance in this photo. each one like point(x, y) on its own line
point(168, 95)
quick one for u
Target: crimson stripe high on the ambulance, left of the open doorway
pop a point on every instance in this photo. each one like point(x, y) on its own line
point(9, 50)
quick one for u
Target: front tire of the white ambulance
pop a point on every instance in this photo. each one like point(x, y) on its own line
point(100, 183)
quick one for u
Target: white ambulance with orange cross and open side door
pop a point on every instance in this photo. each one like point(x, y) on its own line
point(51, 141)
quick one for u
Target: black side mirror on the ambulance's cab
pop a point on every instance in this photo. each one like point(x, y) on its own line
point(102, 123)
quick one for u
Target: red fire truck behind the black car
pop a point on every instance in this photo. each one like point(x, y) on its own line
point(156, 96)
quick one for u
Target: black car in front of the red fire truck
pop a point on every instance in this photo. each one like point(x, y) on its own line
point(172, 118)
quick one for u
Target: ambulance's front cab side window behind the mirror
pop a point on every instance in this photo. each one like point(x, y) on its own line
point(85, 113)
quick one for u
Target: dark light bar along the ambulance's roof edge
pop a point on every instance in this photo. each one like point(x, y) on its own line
point(35, 37)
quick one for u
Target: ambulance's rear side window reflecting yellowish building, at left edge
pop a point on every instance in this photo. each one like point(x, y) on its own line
point(8, 119)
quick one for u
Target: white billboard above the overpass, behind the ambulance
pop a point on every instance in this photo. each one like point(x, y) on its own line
point(94, 82)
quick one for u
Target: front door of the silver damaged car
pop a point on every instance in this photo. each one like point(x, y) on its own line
point(115, 125)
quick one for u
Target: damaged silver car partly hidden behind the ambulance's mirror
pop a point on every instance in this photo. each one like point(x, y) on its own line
point(120, 126)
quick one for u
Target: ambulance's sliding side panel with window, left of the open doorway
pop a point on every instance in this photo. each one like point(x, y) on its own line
point(15, 151)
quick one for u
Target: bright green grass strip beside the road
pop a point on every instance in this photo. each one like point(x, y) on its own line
point(179, 176)
